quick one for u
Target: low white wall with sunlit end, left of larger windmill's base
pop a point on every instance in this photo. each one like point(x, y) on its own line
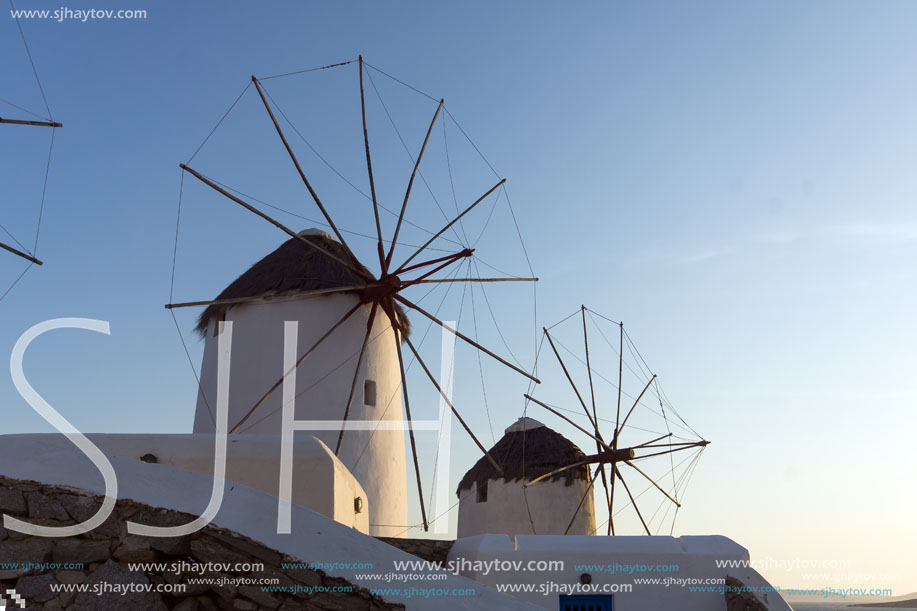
point(320, 481)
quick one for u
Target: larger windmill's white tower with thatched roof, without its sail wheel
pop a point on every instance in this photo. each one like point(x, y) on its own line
point(323, 383)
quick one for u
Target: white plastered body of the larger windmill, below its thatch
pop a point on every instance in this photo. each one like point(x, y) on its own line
point(376, 458)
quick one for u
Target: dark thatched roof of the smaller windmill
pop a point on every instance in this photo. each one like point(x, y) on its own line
point(528, 449)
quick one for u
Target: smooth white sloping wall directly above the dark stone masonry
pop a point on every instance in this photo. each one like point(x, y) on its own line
point(314, 537)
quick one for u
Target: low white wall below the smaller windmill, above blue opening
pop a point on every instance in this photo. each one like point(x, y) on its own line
point(695, 556)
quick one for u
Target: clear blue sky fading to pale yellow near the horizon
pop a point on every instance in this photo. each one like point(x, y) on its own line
point(732, 180)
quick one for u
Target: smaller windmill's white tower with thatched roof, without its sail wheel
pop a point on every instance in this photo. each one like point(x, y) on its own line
point(490, 502)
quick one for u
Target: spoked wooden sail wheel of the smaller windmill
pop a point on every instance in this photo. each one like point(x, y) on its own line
point(612, 452)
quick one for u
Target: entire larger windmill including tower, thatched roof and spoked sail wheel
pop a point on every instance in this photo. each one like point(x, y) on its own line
point(353, 333)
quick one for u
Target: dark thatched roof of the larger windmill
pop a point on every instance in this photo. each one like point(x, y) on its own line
point(294, 267)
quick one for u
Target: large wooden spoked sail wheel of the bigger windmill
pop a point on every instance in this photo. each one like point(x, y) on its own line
point(384, 293)
